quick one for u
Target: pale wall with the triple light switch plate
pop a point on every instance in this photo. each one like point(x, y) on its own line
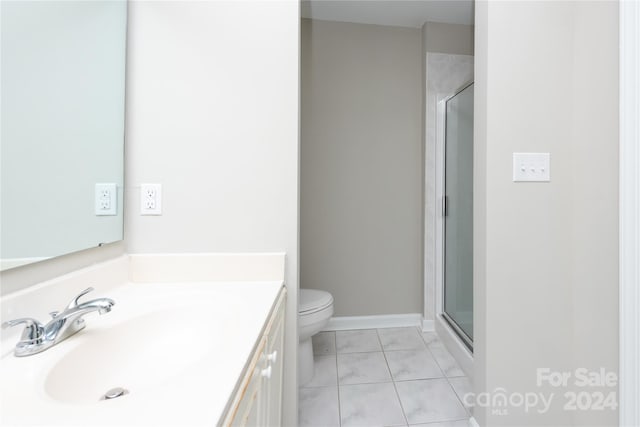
point(546, 254)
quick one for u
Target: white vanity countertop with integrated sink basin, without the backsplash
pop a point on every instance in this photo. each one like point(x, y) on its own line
point(178, 348)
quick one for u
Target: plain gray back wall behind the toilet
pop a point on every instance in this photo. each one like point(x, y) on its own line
point(361, 166)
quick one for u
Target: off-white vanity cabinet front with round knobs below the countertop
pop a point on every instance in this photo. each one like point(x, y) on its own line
point(258, 399)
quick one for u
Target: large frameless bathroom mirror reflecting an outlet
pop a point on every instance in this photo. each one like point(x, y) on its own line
point(62, 127)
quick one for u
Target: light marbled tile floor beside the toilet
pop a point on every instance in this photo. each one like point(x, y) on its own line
point(383, 377)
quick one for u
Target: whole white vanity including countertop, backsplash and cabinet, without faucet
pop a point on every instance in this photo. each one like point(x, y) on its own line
point(233, 376)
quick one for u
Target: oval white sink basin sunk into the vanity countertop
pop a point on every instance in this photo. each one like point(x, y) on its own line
point(137, 355)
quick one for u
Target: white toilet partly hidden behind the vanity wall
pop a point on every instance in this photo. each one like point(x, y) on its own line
point(314, 311)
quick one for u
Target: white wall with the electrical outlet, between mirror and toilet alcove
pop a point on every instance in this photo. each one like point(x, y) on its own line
point(212, 115)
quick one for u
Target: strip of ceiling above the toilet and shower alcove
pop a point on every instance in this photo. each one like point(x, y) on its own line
point(402, 13)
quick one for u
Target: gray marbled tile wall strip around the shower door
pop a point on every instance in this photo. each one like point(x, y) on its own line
point(445, 74)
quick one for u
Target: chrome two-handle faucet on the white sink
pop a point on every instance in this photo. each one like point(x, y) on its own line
point(37, 337)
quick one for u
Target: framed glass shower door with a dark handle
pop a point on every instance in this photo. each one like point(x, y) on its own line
point(458, 213)
